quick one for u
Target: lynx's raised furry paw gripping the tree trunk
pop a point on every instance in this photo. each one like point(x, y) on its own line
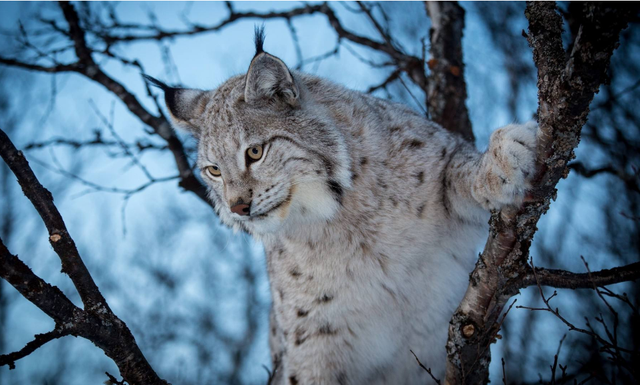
point(507, 166)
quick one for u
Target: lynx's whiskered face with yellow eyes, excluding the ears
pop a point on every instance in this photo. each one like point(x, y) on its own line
point(261, 171)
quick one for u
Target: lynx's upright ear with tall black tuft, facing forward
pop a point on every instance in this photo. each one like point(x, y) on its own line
point(268, 78)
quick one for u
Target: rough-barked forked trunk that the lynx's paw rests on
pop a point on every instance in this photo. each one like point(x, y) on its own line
point(566, 87)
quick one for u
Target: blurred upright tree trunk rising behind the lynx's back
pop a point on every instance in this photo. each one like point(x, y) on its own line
point(446, 88)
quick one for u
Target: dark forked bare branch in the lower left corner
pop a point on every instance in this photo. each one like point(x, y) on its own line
point(96, 322)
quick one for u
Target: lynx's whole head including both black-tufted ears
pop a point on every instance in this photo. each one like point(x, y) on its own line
point(269, 153)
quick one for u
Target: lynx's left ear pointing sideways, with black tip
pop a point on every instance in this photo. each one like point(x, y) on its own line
point(184, 104)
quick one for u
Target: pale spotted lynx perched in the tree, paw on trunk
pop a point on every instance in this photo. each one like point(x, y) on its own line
point(370, 215)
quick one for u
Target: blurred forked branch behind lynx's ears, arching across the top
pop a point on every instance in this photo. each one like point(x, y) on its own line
point(87, 66)
